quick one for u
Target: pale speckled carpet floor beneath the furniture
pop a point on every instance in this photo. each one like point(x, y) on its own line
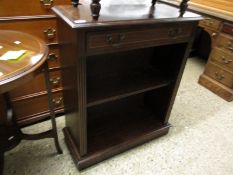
point(200, 141)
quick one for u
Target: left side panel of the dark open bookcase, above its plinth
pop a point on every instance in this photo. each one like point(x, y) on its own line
point(74, 82)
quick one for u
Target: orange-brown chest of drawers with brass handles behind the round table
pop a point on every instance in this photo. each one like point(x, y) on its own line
point(36, 18)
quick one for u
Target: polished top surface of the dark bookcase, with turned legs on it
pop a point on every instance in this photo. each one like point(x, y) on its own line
point(121, 12)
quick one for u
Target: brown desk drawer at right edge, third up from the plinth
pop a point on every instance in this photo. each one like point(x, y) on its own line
point(225, 42)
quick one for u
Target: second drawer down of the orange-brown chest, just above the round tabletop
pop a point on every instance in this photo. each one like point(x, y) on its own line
point(42, 28)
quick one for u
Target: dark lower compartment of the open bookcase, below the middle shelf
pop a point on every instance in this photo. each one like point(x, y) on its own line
point(117, 122)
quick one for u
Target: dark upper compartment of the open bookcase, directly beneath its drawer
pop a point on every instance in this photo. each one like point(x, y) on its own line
point(115, 76)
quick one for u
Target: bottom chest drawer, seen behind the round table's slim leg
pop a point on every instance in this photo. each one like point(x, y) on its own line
point(36, 106)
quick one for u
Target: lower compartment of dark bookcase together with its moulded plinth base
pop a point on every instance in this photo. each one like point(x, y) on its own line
point(118, 125)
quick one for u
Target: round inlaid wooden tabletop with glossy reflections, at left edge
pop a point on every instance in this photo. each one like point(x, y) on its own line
point(23, 70)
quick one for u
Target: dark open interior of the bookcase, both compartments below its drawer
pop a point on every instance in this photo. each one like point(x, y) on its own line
point(129, 93)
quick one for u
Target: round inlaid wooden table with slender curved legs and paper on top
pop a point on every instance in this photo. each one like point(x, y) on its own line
point(16, 72)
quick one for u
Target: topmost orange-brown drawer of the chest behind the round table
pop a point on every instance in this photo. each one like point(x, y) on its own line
point(28, 7)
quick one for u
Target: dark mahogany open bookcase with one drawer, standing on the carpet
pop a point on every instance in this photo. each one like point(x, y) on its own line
point(121, 72)
